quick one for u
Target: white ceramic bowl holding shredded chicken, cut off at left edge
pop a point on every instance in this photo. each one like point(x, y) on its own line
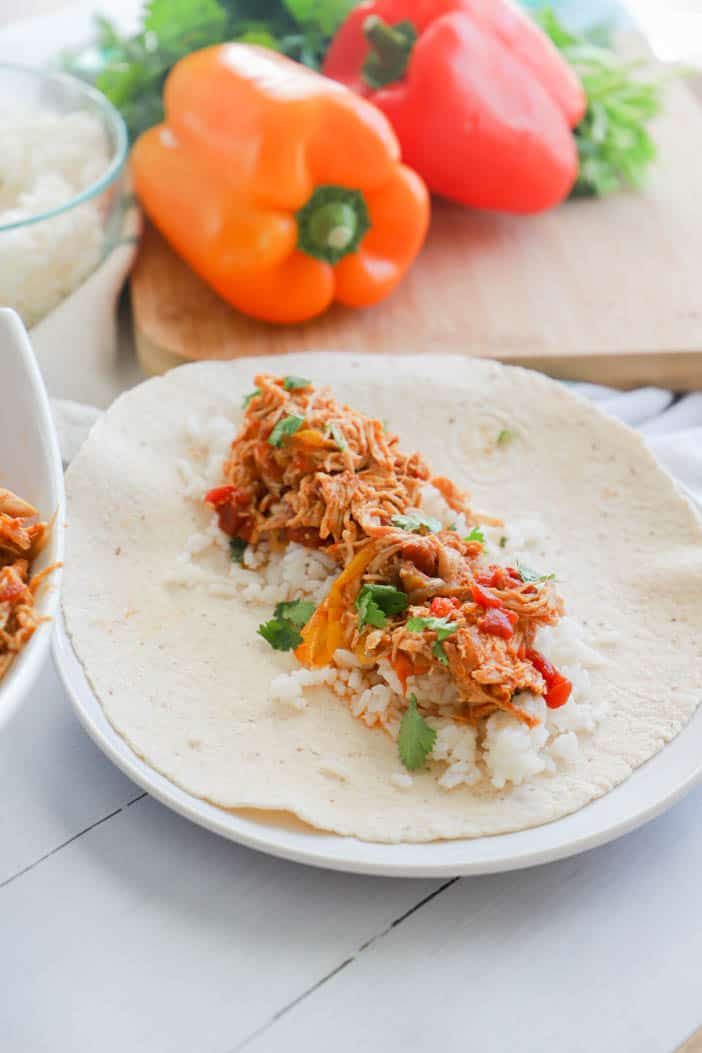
point(31, 466)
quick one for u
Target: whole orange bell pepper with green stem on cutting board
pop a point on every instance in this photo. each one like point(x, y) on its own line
point(284, 190)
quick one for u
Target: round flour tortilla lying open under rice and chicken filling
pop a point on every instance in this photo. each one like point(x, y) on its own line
point(185, 679)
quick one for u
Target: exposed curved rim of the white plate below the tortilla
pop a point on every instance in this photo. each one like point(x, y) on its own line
point(350, 855)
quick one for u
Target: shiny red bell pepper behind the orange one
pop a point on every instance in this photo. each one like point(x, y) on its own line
point(482, 102)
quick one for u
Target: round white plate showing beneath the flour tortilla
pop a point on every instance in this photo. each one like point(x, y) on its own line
point(652, 789)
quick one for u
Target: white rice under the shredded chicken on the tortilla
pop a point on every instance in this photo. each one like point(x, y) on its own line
point(505, 751)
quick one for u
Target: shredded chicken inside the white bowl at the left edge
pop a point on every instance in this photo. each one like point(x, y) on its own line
point(22, 539)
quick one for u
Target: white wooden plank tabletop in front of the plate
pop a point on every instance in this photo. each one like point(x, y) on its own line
point(124, 927)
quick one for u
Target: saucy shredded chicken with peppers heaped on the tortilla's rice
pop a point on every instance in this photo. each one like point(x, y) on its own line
point(306, 469)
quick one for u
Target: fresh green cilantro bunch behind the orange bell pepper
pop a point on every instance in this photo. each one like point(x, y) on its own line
point(136, 68)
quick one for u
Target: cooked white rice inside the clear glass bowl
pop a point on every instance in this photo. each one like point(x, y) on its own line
point(46, 161)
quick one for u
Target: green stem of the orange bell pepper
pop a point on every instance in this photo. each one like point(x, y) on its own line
point(332, 224)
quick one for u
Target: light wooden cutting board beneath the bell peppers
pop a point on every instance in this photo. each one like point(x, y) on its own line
point(609, 291)
